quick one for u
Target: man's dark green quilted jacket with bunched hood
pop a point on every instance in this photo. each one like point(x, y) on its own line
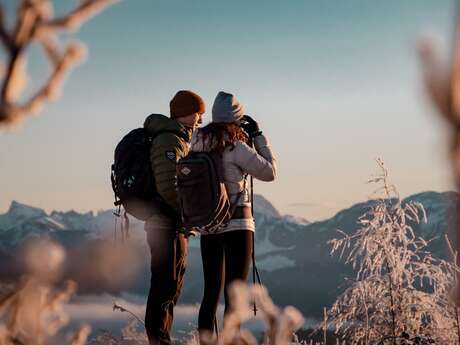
point(167, 148)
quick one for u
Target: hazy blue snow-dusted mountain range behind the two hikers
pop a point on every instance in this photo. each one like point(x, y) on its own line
point(292, 254)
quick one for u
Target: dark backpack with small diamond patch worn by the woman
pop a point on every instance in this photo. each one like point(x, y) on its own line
point(203, 198)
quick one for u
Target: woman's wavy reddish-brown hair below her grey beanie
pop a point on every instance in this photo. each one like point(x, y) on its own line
point(220, 135)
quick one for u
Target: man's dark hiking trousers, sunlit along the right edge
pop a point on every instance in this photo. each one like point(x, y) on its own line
point(169, 258)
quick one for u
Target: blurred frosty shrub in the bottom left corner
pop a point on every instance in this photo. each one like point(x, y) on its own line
point(32, 311)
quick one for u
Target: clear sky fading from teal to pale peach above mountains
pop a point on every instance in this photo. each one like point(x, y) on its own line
point(333, 85)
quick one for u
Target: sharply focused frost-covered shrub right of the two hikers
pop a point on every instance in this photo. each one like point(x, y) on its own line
point(401, 291)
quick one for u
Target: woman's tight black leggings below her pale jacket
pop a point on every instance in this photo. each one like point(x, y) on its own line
point(226, 257)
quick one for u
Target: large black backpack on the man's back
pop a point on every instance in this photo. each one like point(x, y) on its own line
point(132, 179)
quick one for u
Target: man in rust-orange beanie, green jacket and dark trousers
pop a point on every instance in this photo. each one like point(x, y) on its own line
point(172, 137)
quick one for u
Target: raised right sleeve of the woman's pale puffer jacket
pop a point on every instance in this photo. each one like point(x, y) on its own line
point(258, 162)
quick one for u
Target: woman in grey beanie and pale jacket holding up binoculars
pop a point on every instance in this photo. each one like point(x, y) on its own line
point(227, 253)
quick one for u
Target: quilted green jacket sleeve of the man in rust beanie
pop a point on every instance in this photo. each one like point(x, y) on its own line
point(165, 151)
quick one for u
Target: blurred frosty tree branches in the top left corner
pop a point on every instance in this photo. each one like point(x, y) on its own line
point(35, 23)
